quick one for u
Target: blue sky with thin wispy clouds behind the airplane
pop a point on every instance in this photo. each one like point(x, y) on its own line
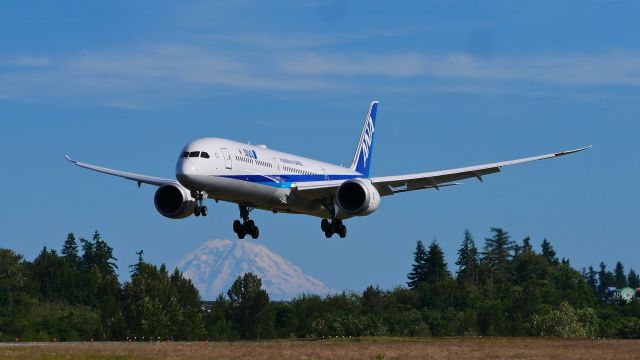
point(127, 84)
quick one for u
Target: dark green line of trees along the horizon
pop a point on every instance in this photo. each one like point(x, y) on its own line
point(501, 288)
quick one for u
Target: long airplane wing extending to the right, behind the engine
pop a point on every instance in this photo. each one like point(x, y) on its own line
point(389, 185)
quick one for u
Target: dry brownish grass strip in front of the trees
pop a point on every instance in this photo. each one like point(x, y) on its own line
point(364, 348)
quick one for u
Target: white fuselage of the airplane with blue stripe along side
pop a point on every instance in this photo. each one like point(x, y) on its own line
point(254, 175)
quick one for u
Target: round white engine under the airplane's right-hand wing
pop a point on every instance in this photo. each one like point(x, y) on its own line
point(357, 197)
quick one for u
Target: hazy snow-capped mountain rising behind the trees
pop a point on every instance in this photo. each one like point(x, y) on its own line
point(217, 263)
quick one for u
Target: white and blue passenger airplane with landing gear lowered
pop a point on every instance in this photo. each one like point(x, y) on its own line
point(256, 177)
